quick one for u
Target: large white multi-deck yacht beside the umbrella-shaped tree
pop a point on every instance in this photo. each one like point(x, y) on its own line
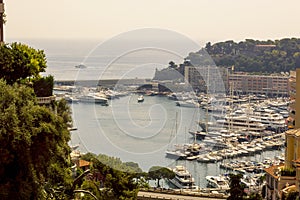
point(183, 179)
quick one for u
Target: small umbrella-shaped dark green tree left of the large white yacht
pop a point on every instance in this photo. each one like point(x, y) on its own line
point(158, 172)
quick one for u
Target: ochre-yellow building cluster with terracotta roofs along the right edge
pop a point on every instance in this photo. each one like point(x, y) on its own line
point(286, 178)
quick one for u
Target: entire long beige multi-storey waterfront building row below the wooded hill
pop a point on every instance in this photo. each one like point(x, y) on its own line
point(220, 78)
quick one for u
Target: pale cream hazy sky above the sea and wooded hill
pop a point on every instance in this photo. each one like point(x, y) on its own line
point(214, 20)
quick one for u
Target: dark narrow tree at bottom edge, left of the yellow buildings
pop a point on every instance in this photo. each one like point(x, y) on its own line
point(236, 188)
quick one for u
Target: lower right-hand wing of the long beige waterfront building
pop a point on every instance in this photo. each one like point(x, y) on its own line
point(270, 85)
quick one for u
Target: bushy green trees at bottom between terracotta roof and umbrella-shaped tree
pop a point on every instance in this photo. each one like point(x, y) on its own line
point(116, 179)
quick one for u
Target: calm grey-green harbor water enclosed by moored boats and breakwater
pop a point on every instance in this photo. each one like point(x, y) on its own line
point(142, 132)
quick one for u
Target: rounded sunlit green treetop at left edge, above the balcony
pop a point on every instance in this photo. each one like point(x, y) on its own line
point(19, 61)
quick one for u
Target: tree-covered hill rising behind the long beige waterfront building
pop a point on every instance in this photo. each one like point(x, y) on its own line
point(252, 55)
